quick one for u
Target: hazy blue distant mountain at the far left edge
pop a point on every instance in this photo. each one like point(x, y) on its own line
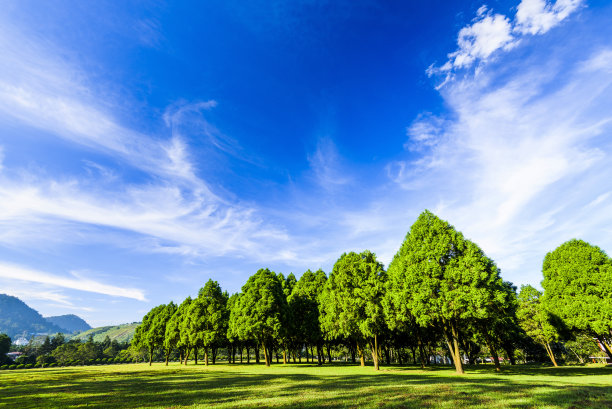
point(17, 318)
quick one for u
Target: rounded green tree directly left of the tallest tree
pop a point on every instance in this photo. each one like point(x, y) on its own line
point(351, 303)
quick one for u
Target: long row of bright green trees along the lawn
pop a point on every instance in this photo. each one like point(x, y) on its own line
point(440, 290)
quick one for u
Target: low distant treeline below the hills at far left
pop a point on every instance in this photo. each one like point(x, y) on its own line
point(57, 351)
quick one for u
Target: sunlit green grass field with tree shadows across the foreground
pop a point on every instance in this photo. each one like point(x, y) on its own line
point(290, 386)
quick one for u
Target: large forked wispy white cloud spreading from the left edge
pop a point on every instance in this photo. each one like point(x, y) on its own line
point(173, 206)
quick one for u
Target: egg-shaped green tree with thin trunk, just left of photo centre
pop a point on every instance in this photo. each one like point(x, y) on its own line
point(260, 311)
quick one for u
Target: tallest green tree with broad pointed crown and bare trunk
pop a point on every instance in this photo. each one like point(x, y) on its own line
point(440, 278)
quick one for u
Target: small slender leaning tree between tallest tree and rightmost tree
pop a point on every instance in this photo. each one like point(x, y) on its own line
point(537, 322)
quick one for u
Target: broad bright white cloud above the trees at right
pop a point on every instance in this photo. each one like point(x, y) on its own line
point(523, 163)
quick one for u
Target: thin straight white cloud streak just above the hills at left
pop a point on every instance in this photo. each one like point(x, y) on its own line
point(77, 281)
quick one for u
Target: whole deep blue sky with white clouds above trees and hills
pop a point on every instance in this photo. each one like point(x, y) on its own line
point(149, 146)
